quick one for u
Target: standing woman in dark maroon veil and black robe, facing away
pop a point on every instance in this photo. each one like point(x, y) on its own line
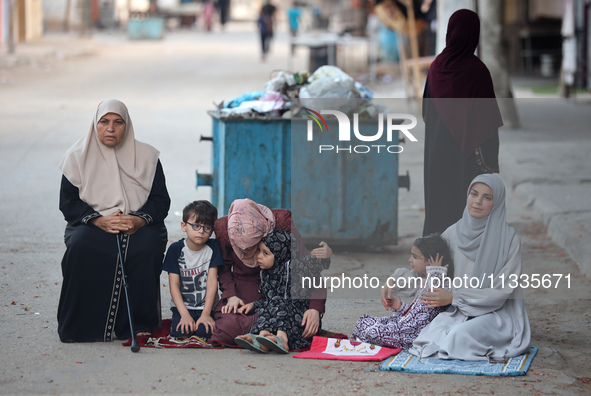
point(461, 123)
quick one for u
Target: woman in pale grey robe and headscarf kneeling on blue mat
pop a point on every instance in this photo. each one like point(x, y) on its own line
point(488, 320)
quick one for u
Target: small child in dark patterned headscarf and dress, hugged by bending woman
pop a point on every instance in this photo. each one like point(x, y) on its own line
point(280, 313)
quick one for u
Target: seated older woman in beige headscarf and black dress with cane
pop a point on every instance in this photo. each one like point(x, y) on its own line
point(112, 187)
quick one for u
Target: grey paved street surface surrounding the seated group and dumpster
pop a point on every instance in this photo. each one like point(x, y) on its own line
point(48, 93)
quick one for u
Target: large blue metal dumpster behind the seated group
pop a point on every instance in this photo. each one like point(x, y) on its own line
point(343, 199)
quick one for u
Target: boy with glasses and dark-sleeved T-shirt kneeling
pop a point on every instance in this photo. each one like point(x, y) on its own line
point(192, 264)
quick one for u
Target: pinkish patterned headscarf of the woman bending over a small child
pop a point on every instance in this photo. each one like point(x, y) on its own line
point(248, 223)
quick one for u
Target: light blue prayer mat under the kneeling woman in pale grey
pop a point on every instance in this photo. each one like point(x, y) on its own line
point(413, 364)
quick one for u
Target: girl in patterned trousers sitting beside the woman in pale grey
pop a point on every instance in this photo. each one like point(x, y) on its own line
point(401, 329)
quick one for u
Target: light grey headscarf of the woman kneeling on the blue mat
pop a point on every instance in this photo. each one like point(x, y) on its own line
point(486, 241)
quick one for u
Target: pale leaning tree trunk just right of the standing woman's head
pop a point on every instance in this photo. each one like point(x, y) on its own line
point(493, 54)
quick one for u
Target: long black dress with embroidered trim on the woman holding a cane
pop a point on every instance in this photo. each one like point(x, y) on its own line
point(92, 304)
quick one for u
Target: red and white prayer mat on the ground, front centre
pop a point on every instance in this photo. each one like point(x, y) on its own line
point(343, 349)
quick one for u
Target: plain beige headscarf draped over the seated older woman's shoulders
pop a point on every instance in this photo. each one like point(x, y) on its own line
point(111, 178)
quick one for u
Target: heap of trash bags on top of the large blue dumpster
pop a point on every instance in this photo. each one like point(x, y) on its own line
point(287, 93)
